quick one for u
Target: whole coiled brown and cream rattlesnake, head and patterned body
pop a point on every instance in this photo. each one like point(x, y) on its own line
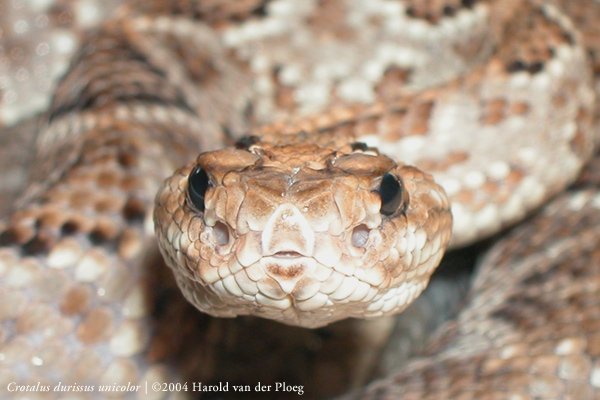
point(343, 146)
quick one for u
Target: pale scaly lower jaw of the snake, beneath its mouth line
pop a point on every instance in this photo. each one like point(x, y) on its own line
point(289, 291)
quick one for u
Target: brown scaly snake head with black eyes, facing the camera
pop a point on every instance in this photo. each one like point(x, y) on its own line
point(300, 233)
